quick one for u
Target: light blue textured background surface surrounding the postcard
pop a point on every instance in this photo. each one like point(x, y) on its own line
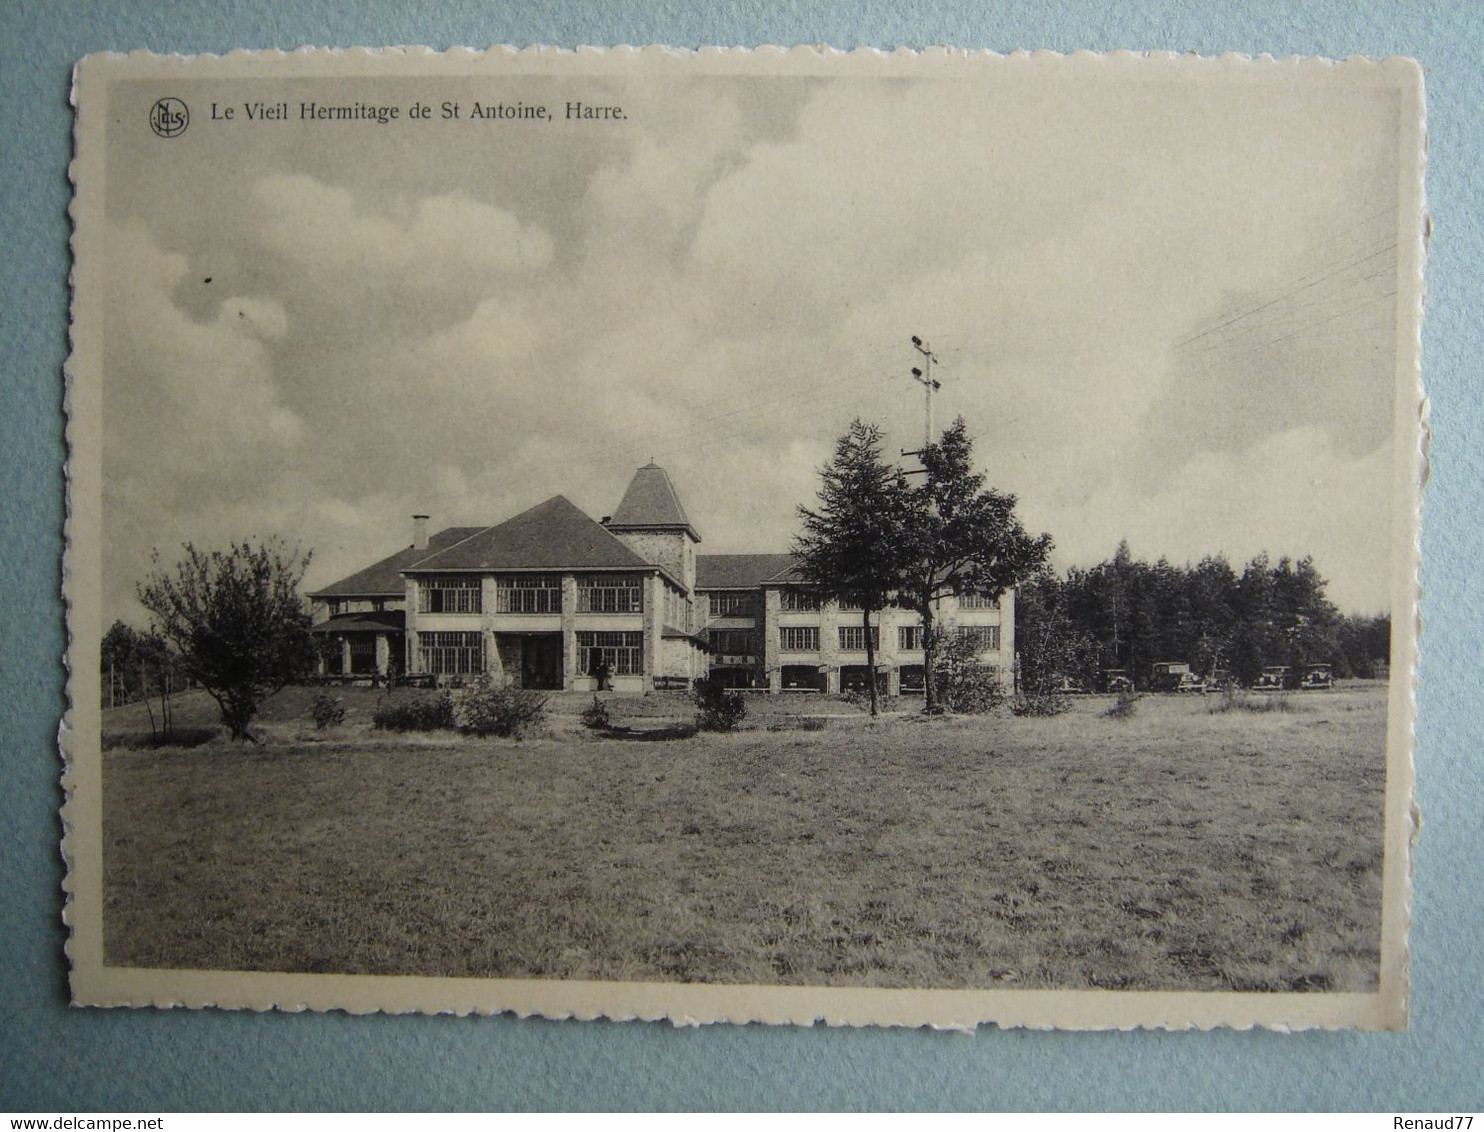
point(59, 1060)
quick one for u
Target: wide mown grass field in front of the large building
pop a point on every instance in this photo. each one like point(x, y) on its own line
point(1182, 848)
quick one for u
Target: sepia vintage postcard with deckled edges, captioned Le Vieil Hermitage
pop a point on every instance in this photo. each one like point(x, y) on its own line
point(789, 536)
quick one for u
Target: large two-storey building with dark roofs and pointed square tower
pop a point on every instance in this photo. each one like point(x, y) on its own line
point(551, 597)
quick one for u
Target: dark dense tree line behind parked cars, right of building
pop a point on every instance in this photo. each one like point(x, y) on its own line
point(1129, 615)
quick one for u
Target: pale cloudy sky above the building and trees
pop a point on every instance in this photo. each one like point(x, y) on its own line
point(1166, 311)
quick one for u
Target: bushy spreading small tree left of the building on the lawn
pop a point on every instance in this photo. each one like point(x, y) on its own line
point(238, 622)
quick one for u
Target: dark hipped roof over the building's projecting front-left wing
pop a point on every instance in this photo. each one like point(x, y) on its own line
point(551, 536)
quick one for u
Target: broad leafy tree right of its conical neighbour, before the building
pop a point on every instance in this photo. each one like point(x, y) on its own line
point(961, 538)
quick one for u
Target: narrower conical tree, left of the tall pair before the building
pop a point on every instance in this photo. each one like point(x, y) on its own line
point(851, 548)
